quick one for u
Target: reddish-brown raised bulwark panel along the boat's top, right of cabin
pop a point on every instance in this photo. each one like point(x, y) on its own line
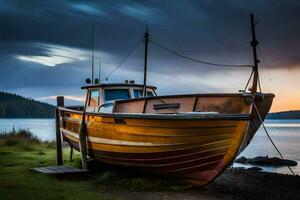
point(235, 103)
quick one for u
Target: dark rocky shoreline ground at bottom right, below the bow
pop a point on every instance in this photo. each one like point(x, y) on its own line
point(235, 184)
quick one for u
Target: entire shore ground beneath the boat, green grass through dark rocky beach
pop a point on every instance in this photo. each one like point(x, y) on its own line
point(20, 151)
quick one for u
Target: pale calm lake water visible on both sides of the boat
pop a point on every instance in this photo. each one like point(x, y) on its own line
point(285, 133)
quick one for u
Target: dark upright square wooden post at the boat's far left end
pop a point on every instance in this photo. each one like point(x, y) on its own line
point(59, 156)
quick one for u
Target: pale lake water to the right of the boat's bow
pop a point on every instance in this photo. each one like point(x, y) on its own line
point(286, 136)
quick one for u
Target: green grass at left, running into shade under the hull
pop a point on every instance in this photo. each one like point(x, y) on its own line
point(20, 151)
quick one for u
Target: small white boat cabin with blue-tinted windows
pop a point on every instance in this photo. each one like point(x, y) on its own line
point(101, 97)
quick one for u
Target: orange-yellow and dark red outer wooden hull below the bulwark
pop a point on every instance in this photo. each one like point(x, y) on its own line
point(195, 148)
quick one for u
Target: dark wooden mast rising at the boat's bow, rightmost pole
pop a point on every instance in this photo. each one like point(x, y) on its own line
point(254, 43)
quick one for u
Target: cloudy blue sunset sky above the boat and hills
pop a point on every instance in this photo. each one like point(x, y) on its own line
point(46, 46)
